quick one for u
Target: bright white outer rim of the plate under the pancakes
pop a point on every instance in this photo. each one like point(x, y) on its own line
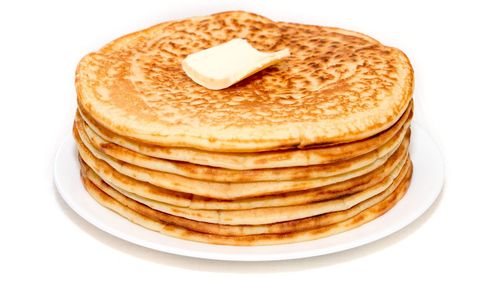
point(214, 255)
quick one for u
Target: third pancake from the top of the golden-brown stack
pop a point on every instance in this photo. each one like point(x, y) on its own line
point(100, 146)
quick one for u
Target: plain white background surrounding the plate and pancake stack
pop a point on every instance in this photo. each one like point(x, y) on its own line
point(454, 47)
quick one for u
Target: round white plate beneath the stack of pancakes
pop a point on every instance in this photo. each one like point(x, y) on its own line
point(425, 187)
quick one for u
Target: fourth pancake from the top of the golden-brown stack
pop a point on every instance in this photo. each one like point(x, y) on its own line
point(223, 190)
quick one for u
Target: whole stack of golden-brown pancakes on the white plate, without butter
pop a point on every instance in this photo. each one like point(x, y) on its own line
point(313, 146)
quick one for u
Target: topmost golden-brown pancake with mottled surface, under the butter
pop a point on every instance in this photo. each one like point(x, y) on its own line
point(337, 86)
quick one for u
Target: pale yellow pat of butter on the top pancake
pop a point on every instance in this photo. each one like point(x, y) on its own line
point(224, 65)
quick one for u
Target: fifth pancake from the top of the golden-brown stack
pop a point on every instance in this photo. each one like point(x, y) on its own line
point(119, 181)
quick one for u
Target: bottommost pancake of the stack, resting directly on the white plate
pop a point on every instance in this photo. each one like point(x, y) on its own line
point(171, 229)
